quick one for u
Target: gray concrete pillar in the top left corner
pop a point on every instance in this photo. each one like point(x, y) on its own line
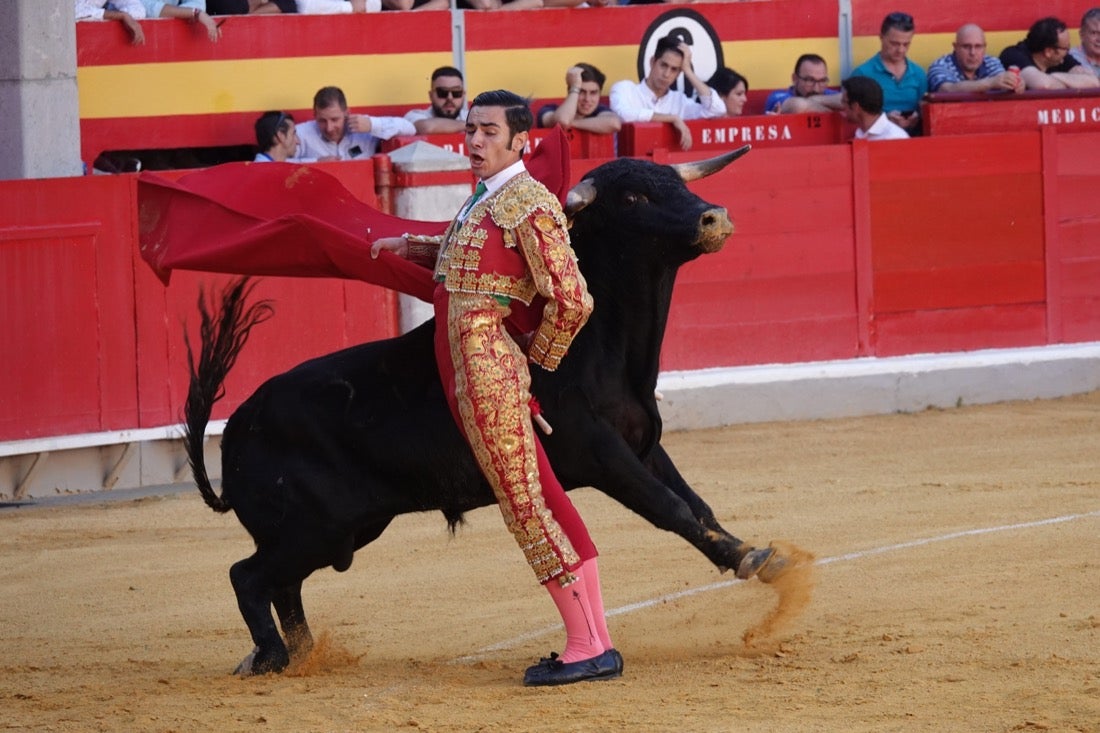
point(40, 117)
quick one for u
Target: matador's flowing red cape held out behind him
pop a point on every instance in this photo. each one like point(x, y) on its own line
point(296, 221)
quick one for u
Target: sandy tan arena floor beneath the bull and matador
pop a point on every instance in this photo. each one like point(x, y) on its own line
point(958, 589)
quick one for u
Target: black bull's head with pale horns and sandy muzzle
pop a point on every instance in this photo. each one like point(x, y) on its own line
point(657, 204)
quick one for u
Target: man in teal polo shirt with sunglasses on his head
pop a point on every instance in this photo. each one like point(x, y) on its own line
point(903, 82)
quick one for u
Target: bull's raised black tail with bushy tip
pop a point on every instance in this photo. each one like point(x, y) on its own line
point(224, 335)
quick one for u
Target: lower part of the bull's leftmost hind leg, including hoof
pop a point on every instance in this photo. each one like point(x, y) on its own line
point(255, 598)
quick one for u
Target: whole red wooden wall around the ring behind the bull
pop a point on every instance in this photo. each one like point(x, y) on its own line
point(870, 249)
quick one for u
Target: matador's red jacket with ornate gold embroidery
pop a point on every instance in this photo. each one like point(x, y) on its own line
point(515, 244)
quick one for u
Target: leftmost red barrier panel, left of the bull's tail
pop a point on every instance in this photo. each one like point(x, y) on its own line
point(68, 307)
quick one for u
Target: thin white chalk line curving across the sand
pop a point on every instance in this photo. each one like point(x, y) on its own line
point(631, 608)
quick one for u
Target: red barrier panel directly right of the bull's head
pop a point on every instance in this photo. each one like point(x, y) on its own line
point(783, 290)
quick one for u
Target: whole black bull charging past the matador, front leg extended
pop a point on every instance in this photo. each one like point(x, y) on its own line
point(320, 461)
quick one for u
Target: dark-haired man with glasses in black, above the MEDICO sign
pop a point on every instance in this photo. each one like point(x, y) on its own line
point(1044, 61)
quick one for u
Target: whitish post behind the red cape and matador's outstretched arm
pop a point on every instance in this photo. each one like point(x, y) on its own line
point(428, 199)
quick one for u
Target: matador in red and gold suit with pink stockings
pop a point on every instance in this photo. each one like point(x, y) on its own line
point(508, 248)
